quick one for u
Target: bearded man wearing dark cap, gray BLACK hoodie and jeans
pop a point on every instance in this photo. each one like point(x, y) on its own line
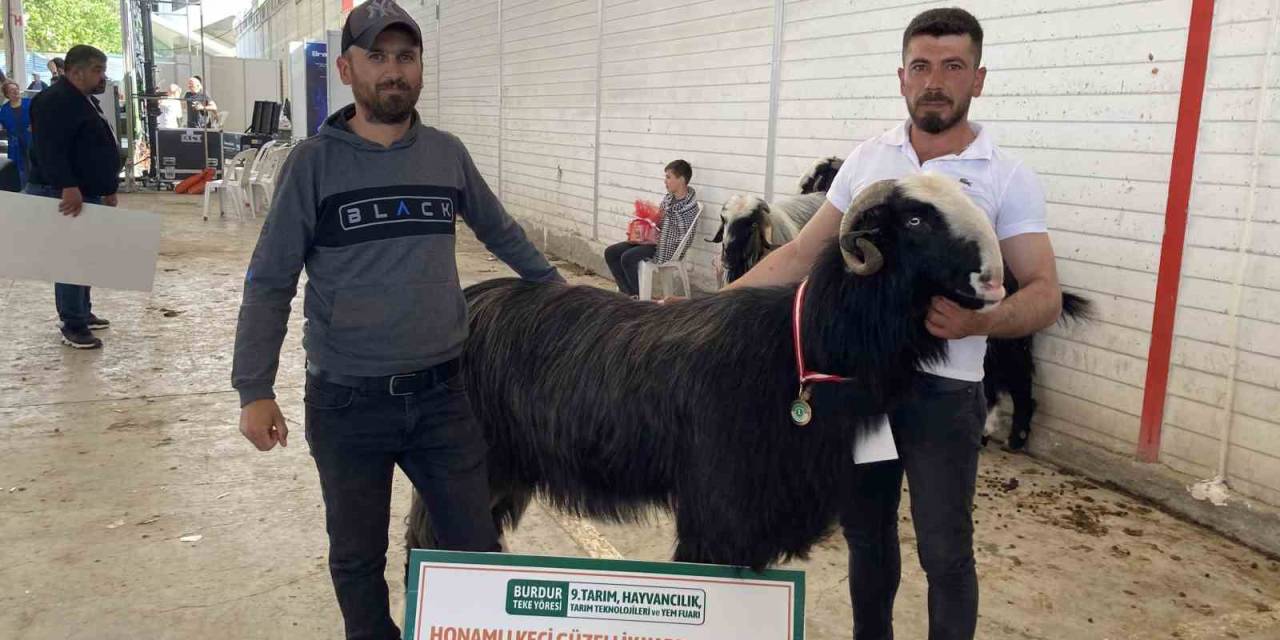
point(369, 208)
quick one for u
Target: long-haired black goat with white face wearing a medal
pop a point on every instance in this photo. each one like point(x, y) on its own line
point(610, 408)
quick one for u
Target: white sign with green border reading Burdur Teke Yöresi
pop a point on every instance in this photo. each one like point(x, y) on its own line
point(496, 596)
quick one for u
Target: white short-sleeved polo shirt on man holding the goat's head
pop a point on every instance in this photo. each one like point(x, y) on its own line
point(1002, 185)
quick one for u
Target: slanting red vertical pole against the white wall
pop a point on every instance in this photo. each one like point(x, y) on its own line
point(1182, 175)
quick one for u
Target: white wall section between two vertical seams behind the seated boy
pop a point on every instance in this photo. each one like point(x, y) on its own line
point(687, 81)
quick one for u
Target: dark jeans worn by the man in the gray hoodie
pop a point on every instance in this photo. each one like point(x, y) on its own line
point(356, 441)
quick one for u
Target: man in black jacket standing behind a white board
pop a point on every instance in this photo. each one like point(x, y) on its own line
point(75, 158)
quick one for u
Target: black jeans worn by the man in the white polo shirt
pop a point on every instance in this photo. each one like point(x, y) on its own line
point(939, 435)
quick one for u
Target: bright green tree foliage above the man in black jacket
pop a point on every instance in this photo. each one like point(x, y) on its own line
point(60, 25)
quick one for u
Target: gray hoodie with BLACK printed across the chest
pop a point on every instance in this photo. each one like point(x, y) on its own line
point(374, 227)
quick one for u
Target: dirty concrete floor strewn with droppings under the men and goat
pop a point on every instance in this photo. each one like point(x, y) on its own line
point(109, 458)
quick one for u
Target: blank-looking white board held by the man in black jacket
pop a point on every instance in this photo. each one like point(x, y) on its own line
point(103, 246)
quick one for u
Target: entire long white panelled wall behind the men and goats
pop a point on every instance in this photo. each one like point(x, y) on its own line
point(1085, 92)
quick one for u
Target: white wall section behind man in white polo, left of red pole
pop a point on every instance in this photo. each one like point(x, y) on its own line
point(1086, 93)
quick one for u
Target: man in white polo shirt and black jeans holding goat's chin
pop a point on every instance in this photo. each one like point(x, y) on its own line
point(939, 429)
